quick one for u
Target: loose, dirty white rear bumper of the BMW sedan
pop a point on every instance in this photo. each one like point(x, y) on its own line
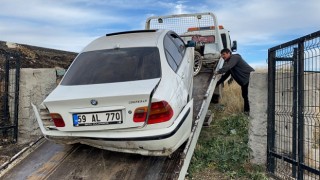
point(156, 142)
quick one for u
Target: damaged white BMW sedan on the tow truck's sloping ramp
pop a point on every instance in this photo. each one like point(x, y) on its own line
point(127, 92)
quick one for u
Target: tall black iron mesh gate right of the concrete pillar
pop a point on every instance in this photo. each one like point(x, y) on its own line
point(293, 109)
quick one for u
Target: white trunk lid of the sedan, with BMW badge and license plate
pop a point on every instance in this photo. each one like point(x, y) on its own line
point(100, 106)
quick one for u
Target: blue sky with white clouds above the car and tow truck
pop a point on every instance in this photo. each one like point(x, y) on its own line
point(70, 25)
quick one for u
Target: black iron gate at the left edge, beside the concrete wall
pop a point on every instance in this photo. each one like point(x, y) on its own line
point(9, 96)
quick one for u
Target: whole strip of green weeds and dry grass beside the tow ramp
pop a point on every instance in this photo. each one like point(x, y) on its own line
point(224, 145)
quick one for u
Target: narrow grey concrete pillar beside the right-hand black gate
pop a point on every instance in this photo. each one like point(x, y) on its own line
point(258, 98)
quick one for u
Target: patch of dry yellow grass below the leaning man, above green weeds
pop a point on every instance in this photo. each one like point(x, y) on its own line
point(232, 99)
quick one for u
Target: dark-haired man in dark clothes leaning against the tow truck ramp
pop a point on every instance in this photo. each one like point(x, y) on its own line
point(240, 72)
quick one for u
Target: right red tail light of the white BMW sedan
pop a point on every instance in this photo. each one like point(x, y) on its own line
point(159, 112)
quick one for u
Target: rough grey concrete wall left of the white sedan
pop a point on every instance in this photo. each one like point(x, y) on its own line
point(35, 85)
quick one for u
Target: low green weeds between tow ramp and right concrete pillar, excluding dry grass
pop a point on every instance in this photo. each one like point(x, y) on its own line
point(226, 150)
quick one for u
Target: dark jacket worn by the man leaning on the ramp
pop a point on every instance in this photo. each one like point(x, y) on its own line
point(238, 68)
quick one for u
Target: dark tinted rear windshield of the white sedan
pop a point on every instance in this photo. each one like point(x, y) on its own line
point(114, 65)
